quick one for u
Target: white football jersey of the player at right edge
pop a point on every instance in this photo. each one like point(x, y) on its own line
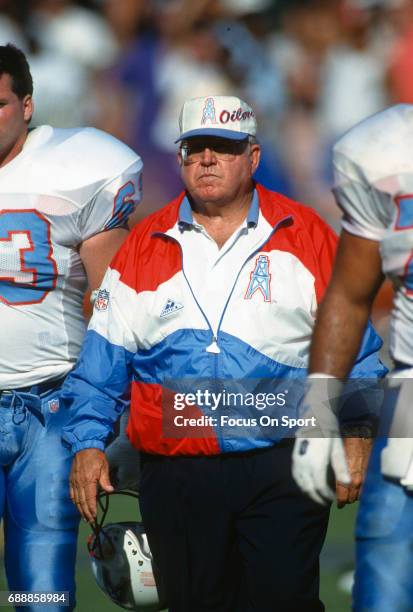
point(373, 165)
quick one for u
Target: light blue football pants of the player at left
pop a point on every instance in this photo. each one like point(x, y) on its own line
point(40, 521)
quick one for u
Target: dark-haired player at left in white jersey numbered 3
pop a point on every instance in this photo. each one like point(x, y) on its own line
point(66, 195)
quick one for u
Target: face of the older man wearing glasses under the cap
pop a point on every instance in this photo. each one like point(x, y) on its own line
point(217, 169)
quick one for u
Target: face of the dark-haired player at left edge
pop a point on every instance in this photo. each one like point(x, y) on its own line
point(14, 117)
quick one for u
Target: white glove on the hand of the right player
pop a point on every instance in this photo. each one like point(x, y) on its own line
point(317, 448)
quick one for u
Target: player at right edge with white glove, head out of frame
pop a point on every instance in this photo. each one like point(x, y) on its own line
point(373, 166)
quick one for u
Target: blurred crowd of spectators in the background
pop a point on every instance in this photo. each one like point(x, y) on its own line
point(309, 68)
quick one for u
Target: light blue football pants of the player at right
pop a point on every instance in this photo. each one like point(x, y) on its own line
point(384, 548)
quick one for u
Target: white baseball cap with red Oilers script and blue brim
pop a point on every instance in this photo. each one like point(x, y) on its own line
point(222, 116)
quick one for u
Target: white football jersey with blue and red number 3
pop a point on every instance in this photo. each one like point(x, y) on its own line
point(64, 187)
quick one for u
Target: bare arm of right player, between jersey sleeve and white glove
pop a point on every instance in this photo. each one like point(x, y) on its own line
point(343, 314)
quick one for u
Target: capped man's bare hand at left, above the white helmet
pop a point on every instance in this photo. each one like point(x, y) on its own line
point(90, 469)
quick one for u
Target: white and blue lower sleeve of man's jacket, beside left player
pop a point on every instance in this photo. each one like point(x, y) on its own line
point(96, 392)
